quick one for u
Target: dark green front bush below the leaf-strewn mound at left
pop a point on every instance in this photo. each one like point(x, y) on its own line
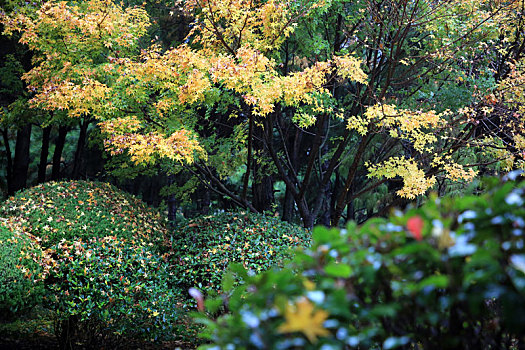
point(106, 288)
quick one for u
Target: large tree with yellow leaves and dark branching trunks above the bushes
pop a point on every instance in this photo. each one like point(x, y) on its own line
point(334, 99)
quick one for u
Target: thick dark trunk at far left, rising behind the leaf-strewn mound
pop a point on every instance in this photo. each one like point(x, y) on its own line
point(21, 160)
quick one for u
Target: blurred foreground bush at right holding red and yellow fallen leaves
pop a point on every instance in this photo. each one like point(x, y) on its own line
point(448, 275)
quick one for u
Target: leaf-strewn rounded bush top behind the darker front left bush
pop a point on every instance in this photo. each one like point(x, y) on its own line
point(80, 209)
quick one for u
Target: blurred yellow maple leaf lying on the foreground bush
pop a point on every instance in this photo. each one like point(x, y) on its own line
point(301, 317)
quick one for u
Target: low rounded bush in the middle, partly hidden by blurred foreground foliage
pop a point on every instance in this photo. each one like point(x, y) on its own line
point(203, 247)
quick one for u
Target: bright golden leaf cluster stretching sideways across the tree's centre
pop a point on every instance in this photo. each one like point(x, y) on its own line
point(184, 76)
